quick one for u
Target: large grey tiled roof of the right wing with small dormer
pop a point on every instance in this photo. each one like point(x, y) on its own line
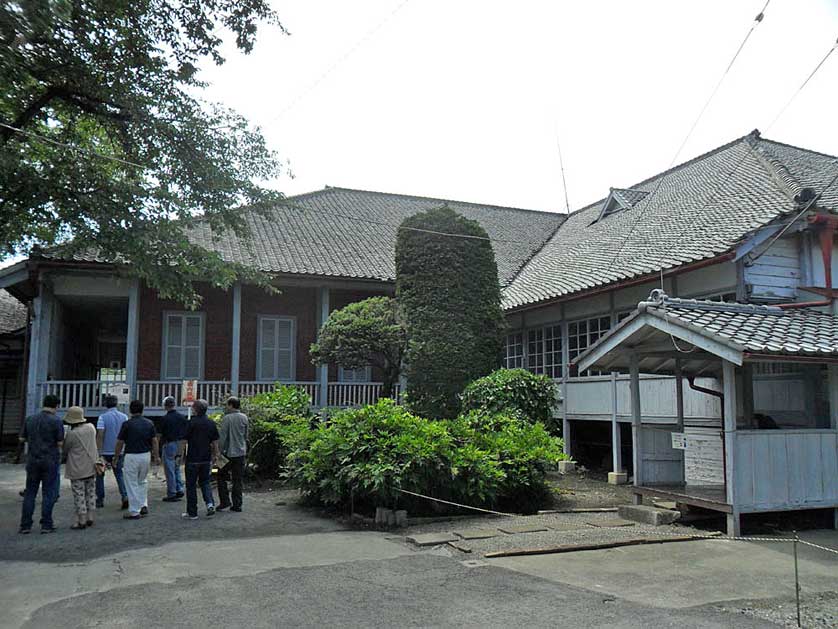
point(694, 211)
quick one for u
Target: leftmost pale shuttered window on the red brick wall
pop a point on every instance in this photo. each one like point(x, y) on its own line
point(183, 346)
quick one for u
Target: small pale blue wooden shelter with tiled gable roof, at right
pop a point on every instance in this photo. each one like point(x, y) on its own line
point(776, 448)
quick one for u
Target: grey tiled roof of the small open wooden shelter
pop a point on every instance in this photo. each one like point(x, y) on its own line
point(754, 329)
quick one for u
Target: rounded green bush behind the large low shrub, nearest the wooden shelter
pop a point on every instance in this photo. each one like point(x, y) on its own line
point(514, 390)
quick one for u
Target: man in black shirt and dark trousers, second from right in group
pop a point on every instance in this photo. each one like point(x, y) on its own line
point(201, 451)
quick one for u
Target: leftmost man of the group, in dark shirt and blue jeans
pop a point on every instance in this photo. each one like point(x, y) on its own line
point(44, 433)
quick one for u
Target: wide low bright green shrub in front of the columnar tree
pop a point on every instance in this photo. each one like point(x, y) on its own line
point(368, 454)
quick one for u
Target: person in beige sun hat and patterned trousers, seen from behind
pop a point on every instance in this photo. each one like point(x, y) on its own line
point(81, 454)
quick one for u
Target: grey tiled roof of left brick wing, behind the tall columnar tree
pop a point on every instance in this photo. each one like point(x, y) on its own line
point(340, 232)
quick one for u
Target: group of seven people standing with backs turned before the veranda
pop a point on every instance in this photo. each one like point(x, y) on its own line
point(128, 446)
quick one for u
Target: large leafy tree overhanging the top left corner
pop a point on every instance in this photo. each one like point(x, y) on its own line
point(105, 144)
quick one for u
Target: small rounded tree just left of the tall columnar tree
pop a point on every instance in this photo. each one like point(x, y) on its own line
point(364, 333)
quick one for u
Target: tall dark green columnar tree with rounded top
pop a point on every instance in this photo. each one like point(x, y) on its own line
point(448, 292)
